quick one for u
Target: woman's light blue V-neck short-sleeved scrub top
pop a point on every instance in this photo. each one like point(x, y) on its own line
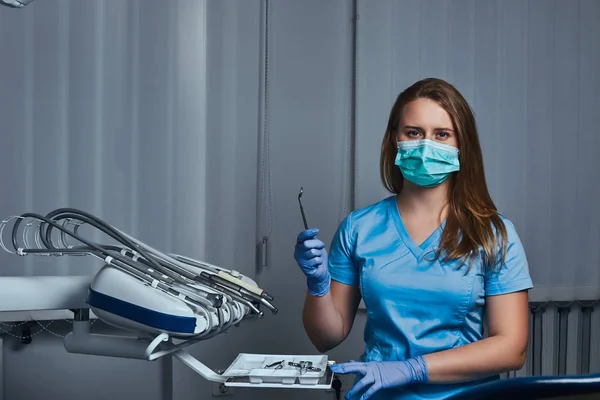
point(416, 305)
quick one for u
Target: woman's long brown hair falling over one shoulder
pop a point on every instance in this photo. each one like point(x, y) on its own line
point(473, 219)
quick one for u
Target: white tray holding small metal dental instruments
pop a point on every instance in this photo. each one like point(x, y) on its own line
point(276, 370)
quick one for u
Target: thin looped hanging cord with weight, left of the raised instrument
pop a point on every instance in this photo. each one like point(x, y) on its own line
point(265, 200)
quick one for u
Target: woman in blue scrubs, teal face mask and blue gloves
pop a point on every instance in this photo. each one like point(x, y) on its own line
point(427, 262)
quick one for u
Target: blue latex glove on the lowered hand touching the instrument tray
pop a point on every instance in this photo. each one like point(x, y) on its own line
point(378, 375)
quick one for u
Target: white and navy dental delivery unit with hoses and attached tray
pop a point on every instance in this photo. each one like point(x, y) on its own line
point(168, 300)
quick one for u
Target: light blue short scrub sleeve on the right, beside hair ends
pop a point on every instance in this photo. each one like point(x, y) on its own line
point(513, 276)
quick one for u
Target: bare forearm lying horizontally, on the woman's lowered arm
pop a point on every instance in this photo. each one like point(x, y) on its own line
point(477, 360)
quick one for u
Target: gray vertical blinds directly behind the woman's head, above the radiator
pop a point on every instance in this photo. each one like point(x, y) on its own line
point(530, 71)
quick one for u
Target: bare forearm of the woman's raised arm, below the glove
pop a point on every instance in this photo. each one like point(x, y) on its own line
point(323, 323)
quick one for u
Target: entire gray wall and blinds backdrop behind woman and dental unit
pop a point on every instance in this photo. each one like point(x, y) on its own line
point(174, 146)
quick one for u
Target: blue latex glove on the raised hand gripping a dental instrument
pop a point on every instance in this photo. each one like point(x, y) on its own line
point(311, 256)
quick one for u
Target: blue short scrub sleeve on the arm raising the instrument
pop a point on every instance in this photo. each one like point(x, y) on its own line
point(341, 264)
